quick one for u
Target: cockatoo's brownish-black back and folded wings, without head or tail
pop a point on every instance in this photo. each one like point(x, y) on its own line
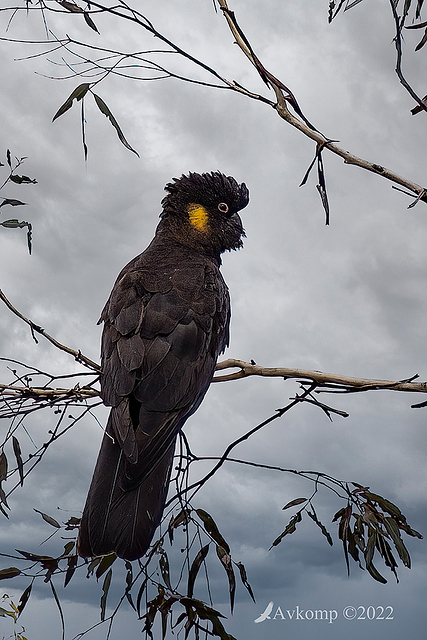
point(163, 331)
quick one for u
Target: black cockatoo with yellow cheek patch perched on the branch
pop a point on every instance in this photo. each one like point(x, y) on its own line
point(165, 324)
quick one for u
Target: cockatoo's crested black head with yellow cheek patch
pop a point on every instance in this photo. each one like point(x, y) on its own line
point(202, 211)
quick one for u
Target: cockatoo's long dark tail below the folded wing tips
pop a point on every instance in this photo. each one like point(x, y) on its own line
point(119, 519)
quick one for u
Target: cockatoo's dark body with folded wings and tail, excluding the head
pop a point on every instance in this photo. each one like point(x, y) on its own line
point(163, 329)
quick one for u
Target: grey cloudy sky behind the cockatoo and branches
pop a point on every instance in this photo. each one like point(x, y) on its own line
point(349, 298)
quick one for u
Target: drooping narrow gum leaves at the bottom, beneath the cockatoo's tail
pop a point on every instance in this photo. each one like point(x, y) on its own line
point(153, 573)
